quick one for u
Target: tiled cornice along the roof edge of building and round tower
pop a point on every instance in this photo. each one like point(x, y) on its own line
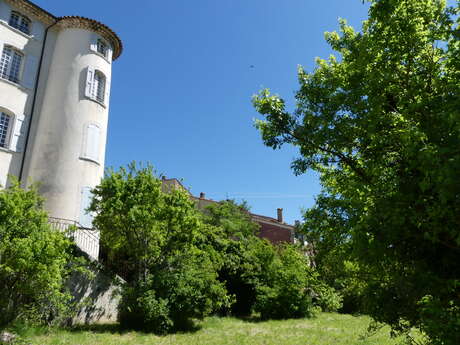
point(31, 9)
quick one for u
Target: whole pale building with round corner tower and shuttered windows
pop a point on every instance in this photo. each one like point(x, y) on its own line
point(55, 77)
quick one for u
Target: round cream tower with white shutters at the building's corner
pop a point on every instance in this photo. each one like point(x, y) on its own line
point(66, 151)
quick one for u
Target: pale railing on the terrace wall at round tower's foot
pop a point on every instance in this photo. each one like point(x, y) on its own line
point(86, 239)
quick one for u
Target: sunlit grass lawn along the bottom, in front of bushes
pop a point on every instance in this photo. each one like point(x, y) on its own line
point(327, 328)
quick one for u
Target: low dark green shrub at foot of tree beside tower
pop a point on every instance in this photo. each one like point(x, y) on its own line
point(170, 298)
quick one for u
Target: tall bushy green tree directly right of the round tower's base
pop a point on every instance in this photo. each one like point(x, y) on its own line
point(172, 273)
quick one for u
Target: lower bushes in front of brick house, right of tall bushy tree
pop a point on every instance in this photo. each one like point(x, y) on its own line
point(274, 281)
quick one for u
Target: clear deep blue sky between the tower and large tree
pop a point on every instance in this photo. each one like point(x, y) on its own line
point(181, 91)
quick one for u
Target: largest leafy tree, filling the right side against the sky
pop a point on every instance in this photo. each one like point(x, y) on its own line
point(381, 124)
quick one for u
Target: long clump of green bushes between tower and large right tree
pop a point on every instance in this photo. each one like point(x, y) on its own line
point(182, 265)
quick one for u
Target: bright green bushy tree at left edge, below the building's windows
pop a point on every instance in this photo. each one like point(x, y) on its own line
point(33, 259)
